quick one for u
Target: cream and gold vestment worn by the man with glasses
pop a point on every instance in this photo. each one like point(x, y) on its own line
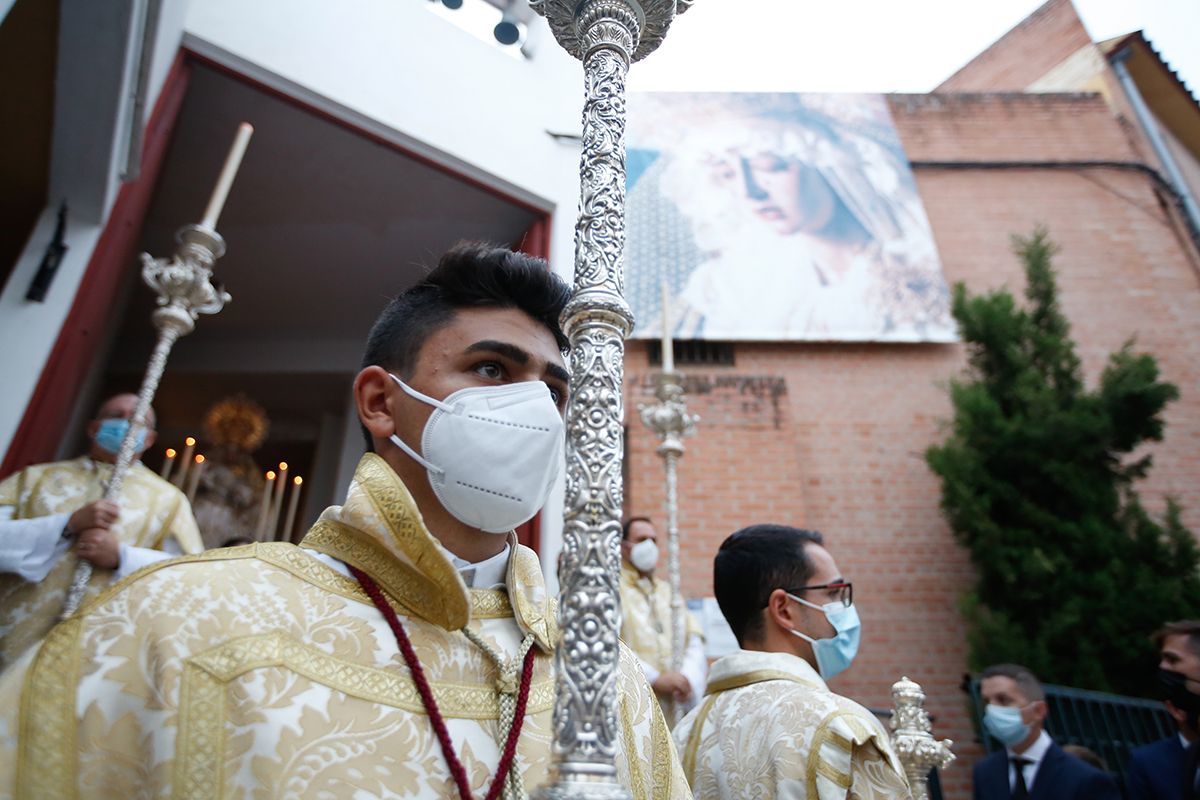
point(770, 727)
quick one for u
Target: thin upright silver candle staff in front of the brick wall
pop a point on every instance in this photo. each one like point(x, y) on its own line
point(669, 418)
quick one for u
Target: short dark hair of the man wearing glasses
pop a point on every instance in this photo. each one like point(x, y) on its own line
point(752, 564)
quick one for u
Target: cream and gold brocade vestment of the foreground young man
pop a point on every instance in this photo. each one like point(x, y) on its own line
point(266, 672)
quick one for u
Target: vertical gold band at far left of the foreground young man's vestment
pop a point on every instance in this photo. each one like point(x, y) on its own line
point(46, 766)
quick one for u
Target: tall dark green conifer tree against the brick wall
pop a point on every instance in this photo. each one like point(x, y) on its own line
point(1039, 482)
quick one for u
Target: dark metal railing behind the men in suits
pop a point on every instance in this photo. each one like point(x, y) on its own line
point(1108, 725)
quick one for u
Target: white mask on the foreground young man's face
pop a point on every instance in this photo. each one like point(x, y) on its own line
point(493, 453)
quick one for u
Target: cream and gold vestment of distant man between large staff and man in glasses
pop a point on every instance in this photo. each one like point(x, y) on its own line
point(646, 629)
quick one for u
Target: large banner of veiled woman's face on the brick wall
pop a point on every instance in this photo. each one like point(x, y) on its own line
point(778, 218)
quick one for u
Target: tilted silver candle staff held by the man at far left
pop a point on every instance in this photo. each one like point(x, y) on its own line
point(185, 292)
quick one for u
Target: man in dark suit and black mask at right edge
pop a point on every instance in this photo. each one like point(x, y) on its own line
point(1162, 771)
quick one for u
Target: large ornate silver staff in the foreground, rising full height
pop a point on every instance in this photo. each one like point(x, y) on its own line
point(607, 35)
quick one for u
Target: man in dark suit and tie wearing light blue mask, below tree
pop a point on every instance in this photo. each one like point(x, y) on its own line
point(1031, 767)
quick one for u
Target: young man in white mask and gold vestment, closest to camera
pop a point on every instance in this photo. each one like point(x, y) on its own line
point(404, 649)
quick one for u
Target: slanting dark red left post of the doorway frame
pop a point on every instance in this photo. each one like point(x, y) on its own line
point(62, 381)
